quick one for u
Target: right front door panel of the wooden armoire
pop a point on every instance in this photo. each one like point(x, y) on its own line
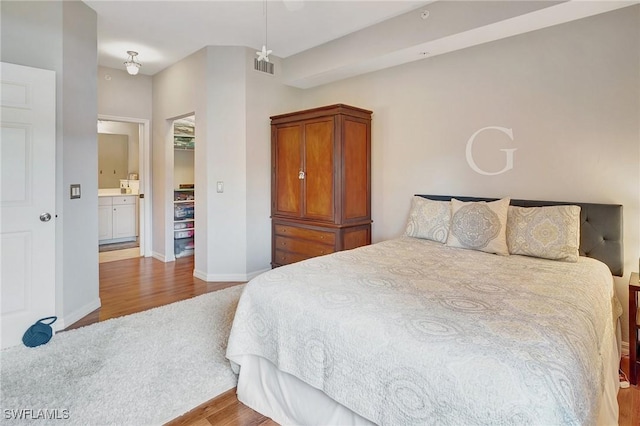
point(318, 168)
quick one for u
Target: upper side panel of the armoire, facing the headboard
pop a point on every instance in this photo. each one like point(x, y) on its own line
point(356, 170)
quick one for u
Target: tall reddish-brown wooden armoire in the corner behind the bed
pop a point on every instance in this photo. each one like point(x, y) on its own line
point(320, 182)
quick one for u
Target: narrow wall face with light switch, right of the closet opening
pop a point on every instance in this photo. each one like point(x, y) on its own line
point(225, 161)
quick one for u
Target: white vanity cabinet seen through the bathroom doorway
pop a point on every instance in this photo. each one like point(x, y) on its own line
point(117, 219)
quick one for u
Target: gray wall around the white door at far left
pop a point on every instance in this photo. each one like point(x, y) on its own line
point(61, 36)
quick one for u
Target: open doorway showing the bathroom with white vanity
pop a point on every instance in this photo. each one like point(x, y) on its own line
point(123, 196)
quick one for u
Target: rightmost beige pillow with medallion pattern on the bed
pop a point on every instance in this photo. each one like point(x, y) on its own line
point(550, 232)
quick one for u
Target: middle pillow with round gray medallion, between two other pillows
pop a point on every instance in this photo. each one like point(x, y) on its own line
point(479, 226)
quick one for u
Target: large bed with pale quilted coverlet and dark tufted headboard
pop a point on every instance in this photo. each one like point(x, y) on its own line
point(419, 330)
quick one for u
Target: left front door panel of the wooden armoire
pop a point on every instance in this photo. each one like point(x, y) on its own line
point(288, 185)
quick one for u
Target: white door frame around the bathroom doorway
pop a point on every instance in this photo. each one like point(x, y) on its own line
point(144, 156)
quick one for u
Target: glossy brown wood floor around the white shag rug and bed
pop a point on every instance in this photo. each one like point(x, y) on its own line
point(134, 285)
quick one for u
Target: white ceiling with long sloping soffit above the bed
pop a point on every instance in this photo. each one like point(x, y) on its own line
point(321, 41)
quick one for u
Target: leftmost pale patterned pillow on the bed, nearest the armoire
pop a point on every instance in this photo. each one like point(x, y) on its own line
point(429, 219)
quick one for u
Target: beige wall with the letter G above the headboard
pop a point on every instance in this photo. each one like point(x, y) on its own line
point(570, 93)
